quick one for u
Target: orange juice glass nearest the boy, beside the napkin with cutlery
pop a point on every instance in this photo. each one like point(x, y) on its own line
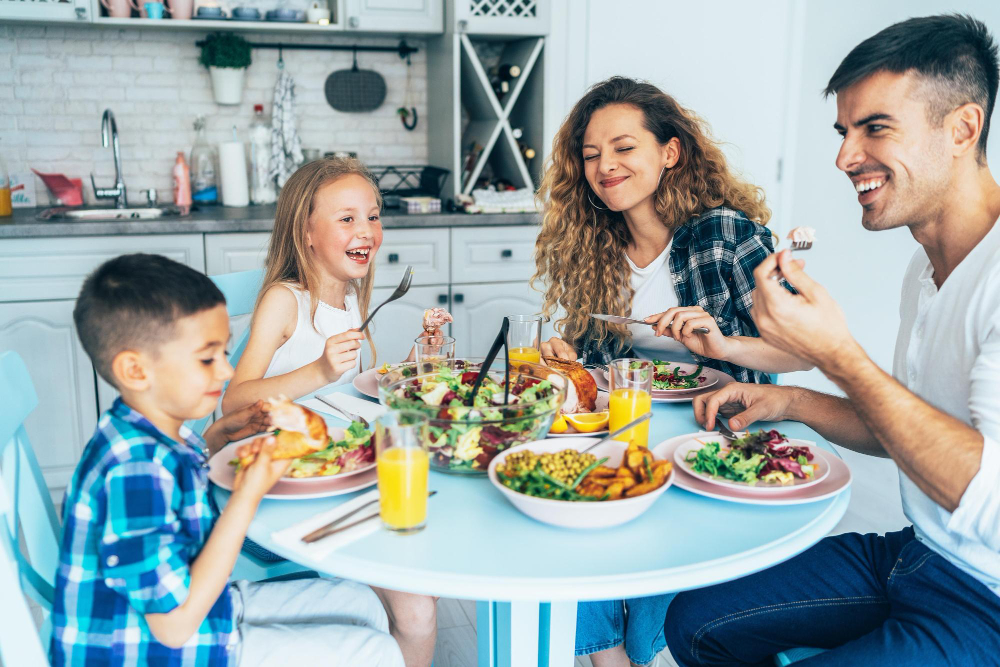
point(402, 466)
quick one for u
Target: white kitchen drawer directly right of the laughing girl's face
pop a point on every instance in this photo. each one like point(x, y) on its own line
point(425, 249)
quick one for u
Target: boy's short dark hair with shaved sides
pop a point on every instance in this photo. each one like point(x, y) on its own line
point(133, 301)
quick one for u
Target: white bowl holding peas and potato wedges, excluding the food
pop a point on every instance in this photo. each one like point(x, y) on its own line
point(576, 514)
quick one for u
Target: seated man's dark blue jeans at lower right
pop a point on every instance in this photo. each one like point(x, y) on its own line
point(870, 599)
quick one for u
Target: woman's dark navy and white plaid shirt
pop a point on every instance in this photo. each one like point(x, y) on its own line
point(712, 260)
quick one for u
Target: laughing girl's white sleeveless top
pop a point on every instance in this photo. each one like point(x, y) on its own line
point(306, 343)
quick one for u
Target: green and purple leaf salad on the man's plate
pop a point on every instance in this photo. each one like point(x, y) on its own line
point(764, 456)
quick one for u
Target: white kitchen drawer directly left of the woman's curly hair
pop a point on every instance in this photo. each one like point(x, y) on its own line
point(493, 254)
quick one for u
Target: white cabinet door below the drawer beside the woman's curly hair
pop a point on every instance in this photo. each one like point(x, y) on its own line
point(479, 310)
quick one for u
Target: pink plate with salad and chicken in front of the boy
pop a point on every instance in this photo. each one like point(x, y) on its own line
point(323, 458)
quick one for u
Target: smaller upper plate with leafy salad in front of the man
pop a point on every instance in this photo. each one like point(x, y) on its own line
point(761, 461)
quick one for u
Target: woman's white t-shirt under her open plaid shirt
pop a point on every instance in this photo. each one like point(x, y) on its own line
point(654, 293)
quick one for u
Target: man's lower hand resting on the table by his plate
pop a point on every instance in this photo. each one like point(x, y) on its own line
point(744, 404)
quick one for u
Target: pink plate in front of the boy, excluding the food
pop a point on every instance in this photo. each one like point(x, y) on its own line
point(224, 475)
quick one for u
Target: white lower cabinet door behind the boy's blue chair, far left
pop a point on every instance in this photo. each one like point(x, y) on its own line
point(44, 335)
